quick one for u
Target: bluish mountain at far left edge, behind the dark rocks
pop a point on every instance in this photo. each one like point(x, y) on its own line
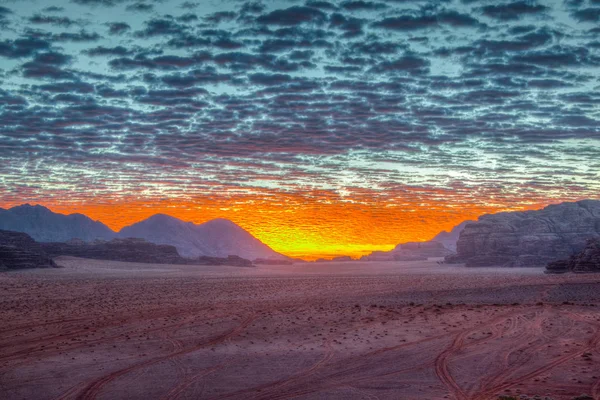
point(44, 225)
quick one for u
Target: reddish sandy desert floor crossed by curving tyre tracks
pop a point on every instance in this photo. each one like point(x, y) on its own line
point(355, 330)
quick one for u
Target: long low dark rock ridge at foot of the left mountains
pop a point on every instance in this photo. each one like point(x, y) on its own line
point(129, 250)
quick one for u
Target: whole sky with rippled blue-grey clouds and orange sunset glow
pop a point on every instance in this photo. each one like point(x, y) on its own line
point(323, 128)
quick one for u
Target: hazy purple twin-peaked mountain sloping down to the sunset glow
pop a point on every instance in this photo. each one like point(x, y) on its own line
point(215, 238)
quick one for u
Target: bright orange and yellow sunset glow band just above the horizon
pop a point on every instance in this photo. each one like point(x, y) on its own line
point(307, 227)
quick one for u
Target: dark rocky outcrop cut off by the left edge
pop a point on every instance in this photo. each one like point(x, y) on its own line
point(19, 251)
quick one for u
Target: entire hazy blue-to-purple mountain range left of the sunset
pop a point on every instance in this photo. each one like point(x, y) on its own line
point(217, 238)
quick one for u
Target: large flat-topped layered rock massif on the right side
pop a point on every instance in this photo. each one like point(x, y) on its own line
point(528, 238)
